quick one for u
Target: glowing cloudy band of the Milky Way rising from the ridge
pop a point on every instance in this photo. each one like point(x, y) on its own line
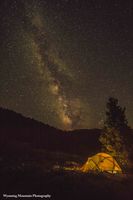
point(52, 70)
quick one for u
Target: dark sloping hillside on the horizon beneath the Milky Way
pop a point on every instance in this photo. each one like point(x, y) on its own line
point(15, 127)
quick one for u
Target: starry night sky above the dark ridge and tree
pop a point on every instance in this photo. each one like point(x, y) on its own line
point(61, 60)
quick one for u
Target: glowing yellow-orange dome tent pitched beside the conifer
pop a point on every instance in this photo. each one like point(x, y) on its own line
point(102, 162)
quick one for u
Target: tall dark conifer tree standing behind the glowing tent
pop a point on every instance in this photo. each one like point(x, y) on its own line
point(112, 138)
